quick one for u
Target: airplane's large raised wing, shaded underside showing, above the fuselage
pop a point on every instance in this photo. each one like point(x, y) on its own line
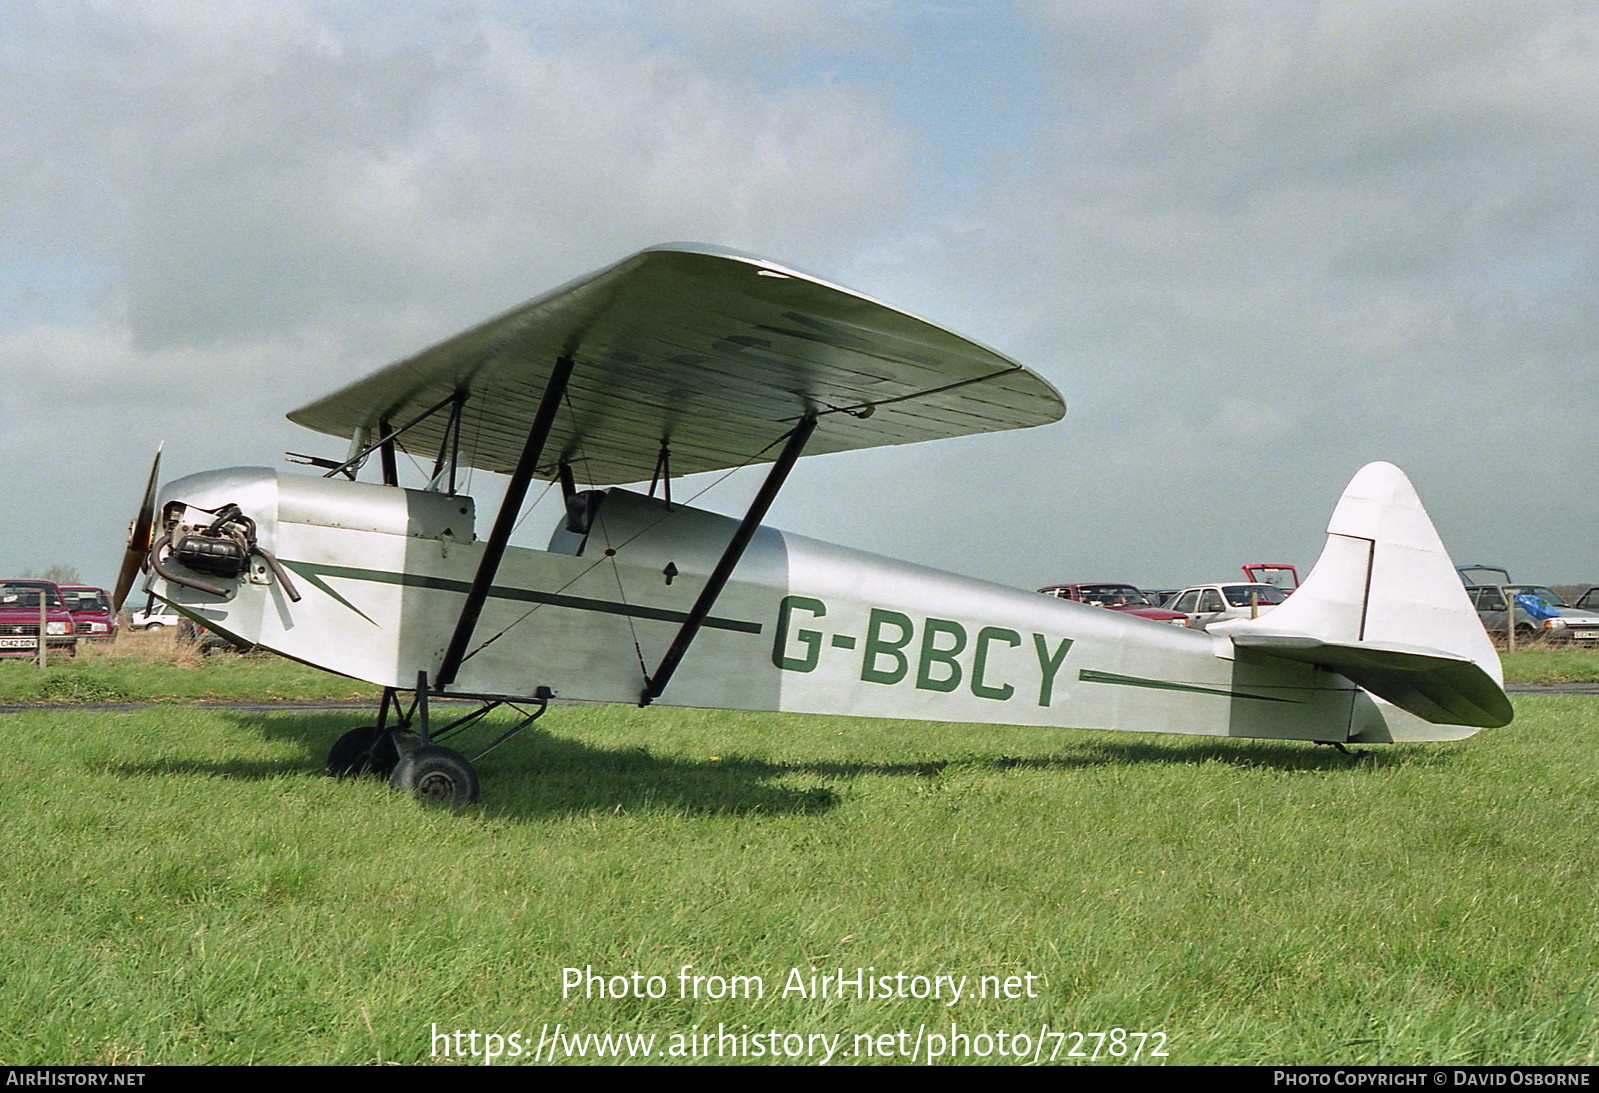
point(709, 352)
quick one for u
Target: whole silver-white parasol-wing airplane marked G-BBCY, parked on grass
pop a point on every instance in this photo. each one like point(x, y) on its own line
point(682, 360)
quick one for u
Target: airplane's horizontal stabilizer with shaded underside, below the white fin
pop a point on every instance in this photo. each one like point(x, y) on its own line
point(1429, 683)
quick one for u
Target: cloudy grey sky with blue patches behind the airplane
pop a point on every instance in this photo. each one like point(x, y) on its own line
point(1254, 245)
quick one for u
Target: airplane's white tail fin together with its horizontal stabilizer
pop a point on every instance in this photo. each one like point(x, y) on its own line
point(1386, 608)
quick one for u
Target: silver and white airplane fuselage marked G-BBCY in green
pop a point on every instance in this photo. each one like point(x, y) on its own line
point(803, 626)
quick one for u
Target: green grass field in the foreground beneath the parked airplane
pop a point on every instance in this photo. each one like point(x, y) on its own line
point(185, 886)
